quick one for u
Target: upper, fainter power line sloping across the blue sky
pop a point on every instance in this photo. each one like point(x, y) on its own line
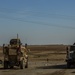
point(41, 14)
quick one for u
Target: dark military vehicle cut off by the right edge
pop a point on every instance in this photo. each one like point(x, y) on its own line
point(70, 58)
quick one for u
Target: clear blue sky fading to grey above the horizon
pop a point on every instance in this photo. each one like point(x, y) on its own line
point(38, 22)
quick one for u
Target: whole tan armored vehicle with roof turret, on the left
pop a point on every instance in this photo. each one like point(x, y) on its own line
point(15, 54)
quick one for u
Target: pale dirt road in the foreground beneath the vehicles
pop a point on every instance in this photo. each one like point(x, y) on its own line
point(41, 68)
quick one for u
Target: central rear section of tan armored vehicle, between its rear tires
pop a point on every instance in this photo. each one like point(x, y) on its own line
point(13, 57)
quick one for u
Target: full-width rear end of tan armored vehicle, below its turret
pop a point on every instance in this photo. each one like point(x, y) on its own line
point(11, 57)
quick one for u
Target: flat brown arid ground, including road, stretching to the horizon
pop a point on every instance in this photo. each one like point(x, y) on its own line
point(43, 60)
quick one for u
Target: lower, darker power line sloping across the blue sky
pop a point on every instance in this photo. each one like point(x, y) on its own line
point(36, 22)
